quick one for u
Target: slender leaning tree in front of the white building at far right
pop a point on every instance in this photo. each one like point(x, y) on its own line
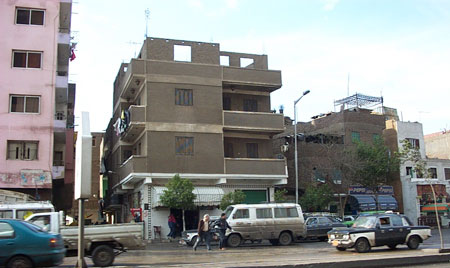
point(408, 152)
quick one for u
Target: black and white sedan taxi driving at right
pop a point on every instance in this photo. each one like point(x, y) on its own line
point(387, 229)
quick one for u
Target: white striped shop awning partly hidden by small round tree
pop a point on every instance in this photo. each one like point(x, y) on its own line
point(205, 196)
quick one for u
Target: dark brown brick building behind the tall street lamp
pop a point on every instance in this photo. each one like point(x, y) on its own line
point(321, 144)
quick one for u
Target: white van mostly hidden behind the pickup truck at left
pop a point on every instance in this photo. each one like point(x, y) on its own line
point(23, 210)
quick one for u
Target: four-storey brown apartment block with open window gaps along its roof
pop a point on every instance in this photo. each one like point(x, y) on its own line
point(187, 108)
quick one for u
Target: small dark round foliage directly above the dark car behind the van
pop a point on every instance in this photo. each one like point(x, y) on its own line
point(316, 198)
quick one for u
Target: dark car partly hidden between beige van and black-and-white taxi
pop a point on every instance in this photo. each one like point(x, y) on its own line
point(318, 226)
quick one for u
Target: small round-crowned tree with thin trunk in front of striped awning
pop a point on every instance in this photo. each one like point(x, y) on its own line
point(179, 195)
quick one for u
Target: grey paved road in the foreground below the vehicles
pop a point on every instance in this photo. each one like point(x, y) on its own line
point(173, 255)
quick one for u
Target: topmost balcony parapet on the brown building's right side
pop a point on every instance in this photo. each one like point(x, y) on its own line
point(247, 78)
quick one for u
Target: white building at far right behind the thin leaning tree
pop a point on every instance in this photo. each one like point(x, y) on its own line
point(414, 190)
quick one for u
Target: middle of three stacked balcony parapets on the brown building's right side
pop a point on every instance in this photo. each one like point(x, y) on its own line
point(253, 121)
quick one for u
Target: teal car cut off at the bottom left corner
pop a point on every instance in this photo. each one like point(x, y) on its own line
point(23, 244)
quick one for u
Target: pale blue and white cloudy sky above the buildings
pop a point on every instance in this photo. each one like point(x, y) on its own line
point(396, 49)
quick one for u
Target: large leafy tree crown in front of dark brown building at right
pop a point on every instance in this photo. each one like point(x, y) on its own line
point(375, 164)
